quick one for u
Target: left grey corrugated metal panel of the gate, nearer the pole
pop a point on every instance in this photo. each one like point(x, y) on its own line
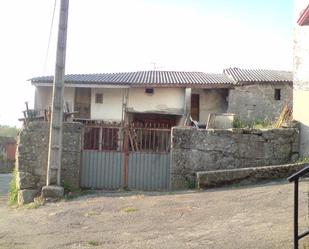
point(102, 169)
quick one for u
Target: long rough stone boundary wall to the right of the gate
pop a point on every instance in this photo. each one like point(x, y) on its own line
point(195, 150)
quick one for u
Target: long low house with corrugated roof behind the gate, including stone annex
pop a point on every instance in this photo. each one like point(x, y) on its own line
point(170, 98)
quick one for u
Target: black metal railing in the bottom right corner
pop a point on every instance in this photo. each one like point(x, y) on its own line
point(295, 178)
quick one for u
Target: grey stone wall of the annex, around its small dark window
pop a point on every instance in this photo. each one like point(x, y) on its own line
point(257, 102)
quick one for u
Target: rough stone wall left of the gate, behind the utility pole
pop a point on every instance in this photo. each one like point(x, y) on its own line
point(32, 154)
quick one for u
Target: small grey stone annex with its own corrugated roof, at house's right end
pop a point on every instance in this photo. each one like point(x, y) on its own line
point(259, 94)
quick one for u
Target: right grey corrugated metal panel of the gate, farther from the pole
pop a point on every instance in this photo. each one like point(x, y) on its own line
point(149, 171)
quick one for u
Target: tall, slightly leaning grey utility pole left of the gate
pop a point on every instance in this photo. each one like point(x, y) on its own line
point(55, 132)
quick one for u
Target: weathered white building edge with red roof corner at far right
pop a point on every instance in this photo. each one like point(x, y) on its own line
point(301, 73)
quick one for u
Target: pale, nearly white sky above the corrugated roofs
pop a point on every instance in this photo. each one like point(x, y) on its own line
point(133, 35)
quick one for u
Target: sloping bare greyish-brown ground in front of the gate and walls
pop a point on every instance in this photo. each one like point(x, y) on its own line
point(256, 217)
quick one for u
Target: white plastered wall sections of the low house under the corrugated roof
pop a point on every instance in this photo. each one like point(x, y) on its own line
point(163, 100)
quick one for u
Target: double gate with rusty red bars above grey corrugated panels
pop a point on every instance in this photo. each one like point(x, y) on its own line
point(137, 157)
